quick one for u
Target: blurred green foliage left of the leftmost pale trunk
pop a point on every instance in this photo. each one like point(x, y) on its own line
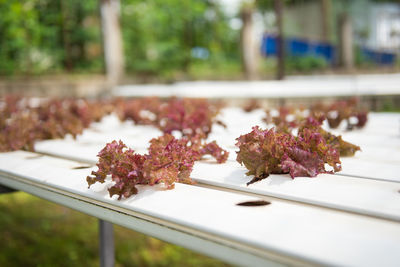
point(39, 36)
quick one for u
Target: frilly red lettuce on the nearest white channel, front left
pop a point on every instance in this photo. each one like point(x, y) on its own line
point(169, 160)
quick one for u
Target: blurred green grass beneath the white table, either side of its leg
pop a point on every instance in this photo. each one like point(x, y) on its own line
point(36, 232)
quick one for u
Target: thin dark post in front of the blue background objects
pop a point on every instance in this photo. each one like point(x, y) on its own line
point(280, 45)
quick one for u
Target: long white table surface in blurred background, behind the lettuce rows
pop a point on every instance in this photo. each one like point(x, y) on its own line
point(306, 86)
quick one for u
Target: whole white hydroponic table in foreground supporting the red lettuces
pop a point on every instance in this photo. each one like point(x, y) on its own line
point(347, 219)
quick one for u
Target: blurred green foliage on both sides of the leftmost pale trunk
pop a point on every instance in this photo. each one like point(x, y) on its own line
point(161, 37)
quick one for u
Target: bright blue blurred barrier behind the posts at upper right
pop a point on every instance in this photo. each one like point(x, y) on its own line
point(299, 47)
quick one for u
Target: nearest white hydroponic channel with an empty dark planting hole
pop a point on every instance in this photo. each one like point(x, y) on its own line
point(305, 233)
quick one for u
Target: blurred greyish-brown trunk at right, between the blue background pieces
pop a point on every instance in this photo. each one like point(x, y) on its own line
point(346, 56)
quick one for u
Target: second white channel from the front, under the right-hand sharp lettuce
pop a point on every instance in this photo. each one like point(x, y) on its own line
point(367, 196)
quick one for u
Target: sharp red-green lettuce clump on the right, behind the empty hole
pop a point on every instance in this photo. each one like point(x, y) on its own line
point(265, 152)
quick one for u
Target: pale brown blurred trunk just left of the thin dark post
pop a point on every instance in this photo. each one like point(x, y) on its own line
point(249, 61)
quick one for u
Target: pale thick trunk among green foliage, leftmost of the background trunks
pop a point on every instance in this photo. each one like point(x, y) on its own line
point(112, 40)
